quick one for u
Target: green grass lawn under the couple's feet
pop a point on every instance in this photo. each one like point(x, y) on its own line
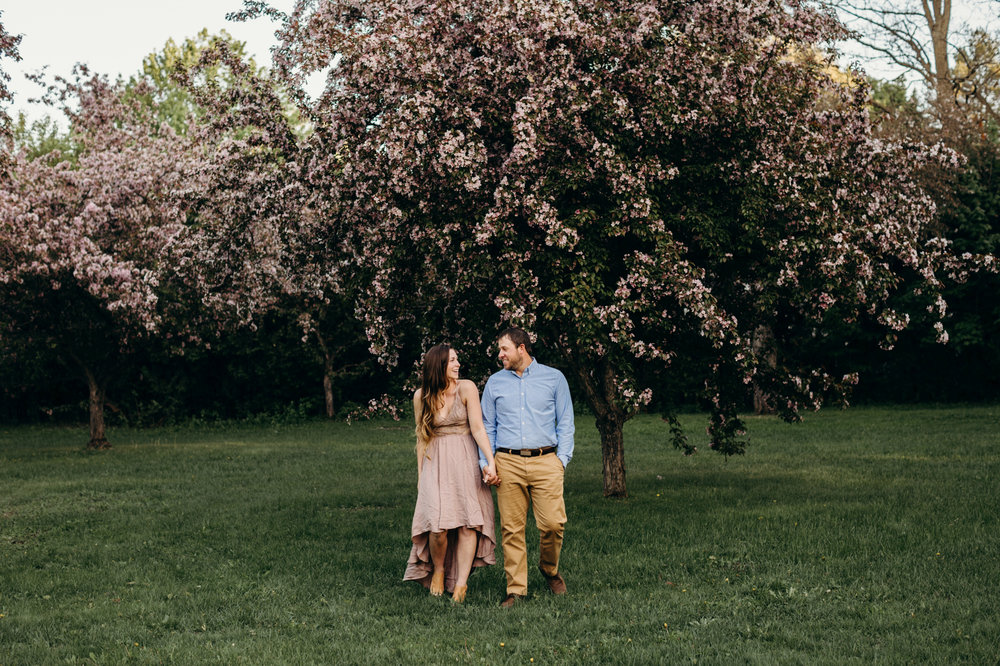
point(864, 536)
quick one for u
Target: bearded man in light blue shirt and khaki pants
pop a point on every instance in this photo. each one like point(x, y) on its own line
point(528, 416)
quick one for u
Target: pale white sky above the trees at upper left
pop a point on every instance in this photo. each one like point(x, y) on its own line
point(113, 36)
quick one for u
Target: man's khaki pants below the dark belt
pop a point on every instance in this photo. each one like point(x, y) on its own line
point(534, 481)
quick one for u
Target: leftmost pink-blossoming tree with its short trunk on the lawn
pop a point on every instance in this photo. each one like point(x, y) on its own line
point(90, 248)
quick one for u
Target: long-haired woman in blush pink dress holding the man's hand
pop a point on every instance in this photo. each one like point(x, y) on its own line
point(452, 527)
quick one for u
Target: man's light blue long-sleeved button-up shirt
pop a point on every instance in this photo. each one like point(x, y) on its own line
point(530, 411)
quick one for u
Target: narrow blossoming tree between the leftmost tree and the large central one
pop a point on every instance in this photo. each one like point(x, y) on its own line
point(261, 185)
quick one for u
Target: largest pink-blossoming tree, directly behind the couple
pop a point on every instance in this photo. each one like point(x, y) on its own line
point(636, 182)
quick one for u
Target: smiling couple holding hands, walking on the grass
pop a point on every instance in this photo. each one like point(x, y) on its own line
point(519, 438)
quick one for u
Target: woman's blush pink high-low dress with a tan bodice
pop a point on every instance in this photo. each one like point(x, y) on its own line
point(451, 494)
